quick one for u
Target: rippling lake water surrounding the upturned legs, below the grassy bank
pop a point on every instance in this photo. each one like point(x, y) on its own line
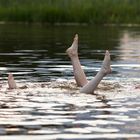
point(52, 107)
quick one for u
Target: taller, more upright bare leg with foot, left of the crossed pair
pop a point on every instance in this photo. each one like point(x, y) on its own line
point(79, 74)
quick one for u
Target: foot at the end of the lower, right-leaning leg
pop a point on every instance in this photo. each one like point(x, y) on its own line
point(106, 69)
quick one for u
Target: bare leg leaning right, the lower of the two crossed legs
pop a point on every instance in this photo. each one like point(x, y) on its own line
point(105, 69)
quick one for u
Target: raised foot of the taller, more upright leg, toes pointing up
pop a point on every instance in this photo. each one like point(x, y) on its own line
point(73, 50)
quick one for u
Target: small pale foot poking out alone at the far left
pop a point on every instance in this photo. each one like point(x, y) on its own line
point(11, 82)
